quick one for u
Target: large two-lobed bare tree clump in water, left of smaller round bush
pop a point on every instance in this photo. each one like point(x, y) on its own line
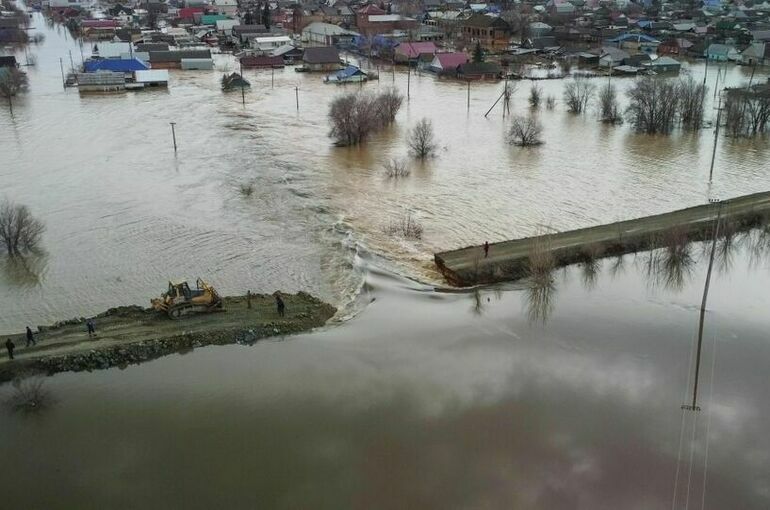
point(354, 117)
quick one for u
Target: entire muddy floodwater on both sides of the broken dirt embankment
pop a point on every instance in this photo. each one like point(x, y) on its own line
point(424, 399)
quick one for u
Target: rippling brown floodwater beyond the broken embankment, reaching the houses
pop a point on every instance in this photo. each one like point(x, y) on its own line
point(124, 213)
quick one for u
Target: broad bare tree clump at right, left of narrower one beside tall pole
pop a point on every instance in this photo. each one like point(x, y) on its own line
point(653, 104)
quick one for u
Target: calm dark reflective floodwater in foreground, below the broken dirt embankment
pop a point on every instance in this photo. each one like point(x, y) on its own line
point(463, 402)
